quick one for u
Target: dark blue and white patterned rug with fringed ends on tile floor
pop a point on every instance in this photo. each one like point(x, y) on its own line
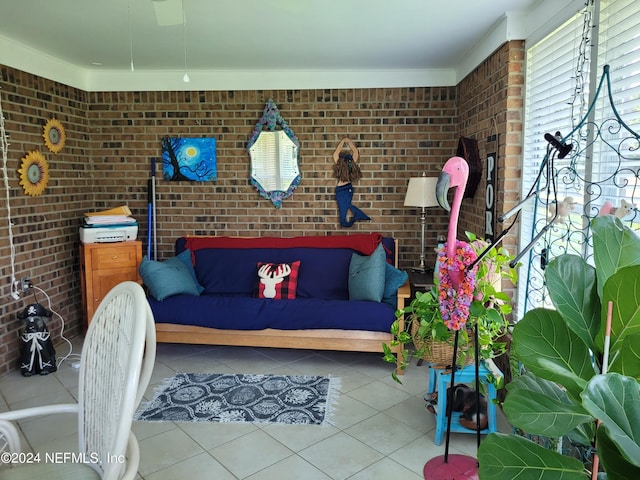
point(213, 397)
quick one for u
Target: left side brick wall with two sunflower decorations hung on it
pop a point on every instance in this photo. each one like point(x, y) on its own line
point(45, 227)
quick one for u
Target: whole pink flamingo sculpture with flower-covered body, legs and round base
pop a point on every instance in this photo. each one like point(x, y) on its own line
point(456, 283)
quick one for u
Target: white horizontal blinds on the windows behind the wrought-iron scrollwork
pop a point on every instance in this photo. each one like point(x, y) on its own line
point(555, 101)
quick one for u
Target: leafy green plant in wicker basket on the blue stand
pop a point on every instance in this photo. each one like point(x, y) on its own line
point(423, 328)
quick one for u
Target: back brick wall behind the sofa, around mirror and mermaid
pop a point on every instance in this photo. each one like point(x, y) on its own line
point(398, 132)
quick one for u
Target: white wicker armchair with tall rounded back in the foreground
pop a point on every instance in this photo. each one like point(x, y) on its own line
point(115, 367)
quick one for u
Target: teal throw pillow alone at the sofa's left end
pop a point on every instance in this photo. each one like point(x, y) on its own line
point(164, 279)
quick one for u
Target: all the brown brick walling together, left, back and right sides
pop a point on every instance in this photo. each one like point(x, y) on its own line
point(111, 138)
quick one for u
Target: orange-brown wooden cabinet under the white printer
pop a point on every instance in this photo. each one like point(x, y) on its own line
point(102, 267)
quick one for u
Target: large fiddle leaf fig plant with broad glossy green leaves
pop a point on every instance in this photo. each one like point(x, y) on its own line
point(564, 391)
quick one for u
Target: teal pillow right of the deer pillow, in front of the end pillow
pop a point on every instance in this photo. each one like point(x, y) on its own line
point(367, 275)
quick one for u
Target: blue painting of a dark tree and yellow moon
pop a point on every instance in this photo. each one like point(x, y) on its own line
point(189, 159)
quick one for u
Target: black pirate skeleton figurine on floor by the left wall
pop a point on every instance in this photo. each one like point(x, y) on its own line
point(37, 354)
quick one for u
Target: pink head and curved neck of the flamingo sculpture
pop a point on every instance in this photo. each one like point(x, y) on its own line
point(454, 175)
